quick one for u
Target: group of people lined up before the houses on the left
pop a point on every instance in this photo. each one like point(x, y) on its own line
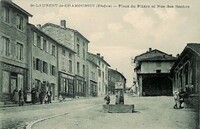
point(34, 96)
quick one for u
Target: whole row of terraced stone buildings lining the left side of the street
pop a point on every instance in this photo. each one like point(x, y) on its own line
point(49, 57)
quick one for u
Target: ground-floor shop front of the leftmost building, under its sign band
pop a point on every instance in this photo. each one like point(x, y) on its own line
point(12, 77)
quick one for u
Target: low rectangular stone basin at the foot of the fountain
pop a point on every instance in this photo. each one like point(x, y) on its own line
point(120, 108)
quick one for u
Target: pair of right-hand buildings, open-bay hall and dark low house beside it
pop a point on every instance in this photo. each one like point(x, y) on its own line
point(159, 73)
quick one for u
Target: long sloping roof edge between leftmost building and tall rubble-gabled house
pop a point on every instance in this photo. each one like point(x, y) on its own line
point(39, 30)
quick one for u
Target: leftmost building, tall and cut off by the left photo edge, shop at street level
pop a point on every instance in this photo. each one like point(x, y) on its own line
point(13, 49)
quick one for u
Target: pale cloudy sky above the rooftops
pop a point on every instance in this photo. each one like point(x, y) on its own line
point(123, 29)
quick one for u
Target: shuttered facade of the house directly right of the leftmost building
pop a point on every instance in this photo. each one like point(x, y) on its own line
point(42, 60)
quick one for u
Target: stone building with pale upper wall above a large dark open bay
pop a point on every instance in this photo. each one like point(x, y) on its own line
point(153, 73)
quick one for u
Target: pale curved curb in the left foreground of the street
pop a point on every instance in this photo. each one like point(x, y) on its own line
point(29, 125)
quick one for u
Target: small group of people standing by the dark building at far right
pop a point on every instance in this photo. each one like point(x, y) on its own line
point(179, 98)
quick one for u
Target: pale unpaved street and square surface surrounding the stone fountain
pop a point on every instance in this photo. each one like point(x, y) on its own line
point(150, 113)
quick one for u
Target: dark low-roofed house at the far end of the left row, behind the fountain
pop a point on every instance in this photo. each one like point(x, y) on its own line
point(113, 77)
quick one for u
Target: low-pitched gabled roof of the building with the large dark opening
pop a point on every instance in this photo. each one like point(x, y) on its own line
point(154, 55)
